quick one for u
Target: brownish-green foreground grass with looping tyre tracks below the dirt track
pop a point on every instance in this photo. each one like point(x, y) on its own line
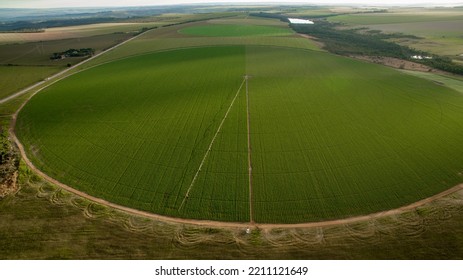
point(81, 229)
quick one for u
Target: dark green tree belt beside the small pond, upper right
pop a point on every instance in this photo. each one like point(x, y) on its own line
point(351, 41)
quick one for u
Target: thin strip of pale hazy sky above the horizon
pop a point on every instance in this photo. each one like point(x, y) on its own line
point(108, 3)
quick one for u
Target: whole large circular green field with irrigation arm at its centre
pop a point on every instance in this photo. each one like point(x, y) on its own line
point(168, 133)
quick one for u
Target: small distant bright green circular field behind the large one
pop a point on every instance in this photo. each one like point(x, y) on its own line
point(235, 30)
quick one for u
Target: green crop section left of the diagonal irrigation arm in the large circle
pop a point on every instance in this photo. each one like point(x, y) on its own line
point(170, 157)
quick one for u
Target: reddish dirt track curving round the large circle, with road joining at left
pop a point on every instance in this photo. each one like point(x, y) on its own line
point(206, 223)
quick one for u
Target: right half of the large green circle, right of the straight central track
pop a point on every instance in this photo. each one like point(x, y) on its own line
point(334, 137)
